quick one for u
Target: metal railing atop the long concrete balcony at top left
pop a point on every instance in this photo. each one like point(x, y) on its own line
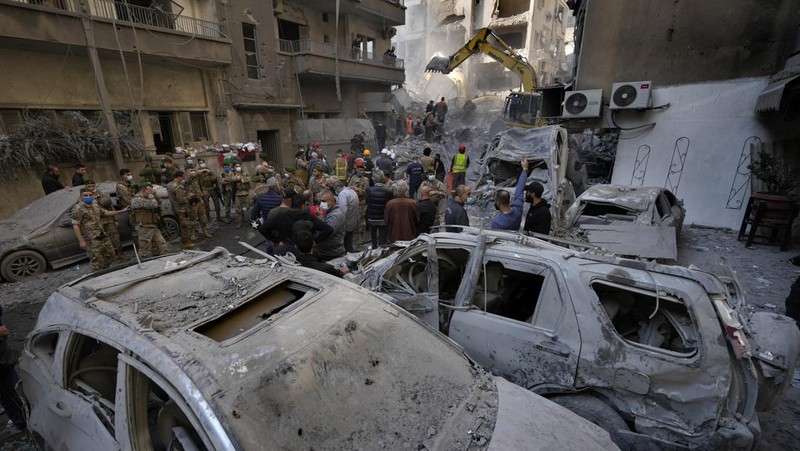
point(125, 12)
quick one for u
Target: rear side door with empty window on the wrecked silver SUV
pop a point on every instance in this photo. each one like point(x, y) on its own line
point(522, 327)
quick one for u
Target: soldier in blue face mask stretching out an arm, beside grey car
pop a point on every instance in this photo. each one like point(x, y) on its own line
point(86, 216)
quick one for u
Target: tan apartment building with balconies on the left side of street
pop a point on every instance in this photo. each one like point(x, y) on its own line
point(191, 73)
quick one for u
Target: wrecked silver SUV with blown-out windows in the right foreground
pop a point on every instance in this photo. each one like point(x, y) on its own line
point(657, 355)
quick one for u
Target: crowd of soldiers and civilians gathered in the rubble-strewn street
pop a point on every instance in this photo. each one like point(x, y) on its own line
point(334, 206)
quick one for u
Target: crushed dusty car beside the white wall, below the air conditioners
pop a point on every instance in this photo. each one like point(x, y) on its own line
point(636, 221)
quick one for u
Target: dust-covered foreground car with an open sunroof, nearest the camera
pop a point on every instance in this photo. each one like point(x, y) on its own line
point(211, 351)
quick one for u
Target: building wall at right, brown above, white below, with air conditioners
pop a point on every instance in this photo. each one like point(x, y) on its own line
point(712, 95)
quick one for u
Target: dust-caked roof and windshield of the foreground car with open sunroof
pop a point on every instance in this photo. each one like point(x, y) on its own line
point(286, 349)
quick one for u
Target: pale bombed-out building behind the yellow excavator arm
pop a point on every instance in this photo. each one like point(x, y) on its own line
point(534, 28)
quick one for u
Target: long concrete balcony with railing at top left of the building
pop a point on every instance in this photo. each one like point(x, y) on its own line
point(155, 35)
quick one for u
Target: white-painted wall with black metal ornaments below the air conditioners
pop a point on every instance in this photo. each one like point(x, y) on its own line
point(717, 119)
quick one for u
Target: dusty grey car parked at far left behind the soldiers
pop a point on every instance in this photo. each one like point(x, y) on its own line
point(41, 235)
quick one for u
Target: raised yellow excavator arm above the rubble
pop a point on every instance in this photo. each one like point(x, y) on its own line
point(497, 49)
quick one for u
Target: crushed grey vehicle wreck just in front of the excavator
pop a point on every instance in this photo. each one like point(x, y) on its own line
point(548, 158)
